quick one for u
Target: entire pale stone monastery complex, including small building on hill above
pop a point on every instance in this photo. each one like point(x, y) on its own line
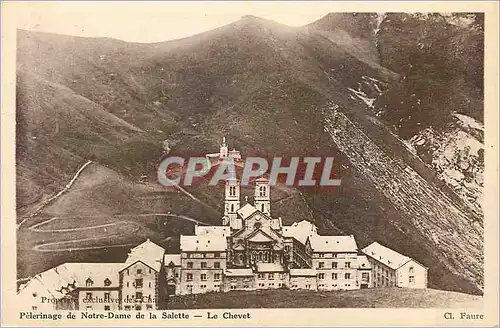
point(250, 250)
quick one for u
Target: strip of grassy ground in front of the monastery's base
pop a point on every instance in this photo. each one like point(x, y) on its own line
point(363, 298)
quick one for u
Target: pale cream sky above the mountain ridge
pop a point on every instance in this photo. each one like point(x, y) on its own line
point(158, 21)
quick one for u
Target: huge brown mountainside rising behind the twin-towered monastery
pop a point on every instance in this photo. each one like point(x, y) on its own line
point(328, 88)
